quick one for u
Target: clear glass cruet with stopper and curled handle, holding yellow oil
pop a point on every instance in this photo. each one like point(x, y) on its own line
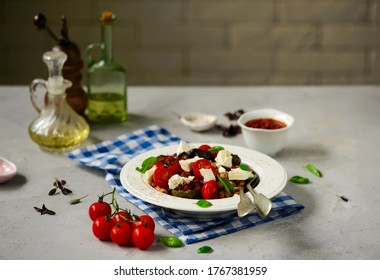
point(58, 127)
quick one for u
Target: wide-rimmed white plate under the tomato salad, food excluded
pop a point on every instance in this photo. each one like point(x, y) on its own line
point(272, 175)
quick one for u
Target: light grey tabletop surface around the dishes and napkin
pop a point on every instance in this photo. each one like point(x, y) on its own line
point(337, 129)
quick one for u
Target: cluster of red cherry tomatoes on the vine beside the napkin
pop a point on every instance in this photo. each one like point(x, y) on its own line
point(120, 225)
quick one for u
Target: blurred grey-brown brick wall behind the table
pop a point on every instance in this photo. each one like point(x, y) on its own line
point(207, 42)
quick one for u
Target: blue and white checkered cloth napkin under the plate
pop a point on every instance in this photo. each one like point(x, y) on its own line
point(112, 154)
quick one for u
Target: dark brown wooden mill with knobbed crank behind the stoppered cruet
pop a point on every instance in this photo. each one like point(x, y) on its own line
point(75, 95)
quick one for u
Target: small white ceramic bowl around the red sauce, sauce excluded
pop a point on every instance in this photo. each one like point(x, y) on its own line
point(267, 141)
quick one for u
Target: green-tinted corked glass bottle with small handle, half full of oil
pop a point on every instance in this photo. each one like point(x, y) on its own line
point(106, 79)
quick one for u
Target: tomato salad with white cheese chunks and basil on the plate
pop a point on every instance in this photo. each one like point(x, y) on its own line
point(203, 172)
